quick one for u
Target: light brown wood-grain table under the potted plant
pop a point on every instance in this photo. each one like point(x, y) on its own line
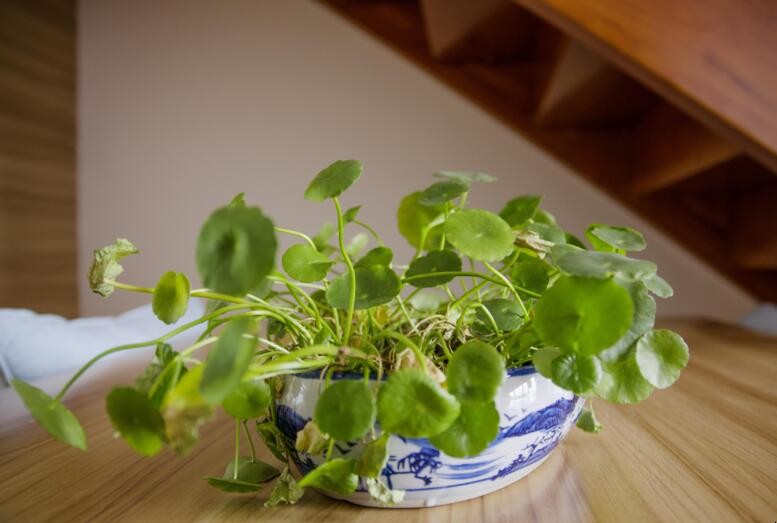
point(705, 450)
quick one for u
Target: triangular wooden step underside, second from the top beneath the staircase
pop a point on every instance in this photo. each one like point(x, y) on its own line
point(586, 90)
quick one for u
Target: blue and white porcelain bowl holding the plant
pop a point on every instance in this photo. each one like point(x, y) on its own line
point(535, 415)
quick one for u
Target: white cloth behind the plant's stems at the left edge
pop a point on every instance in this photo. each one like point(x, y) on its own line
point(35, 345)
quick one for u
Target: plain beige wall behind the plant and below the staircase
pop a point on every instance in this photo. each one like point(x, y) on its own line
point(184, 104)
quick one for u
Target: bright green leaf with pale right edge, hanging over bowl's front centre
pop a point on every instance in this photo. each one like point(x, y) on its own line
point(412, 405)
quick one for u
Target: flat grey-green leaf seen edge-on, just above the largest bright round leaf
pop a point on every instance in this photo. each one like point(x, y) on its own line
point(578, 262)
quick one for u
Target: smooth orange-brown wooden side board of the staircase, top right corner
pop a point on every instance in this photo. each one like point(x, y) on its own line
point(714, 59)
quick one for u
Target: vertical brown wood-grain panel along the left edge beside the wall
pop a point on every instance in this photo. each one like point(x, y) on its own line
point(37, 155)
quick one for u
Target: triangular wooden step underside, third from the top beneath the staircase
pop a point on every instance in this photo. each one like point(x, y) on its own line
point(671, 147)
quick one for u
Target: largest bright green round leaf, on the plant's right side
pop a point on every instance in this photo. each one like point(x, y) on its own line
point(583, 315)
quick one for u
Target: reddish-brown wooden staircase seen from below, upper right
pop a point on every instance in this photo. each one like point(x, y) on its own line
point(670, 106)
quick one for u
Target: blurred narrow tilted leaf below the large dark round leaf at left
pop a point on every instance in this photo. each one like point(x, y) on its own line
point(228, 361)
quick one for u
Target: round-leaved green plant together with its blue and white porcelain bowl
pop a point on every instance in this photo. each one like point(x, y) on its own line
point(387, 384)
